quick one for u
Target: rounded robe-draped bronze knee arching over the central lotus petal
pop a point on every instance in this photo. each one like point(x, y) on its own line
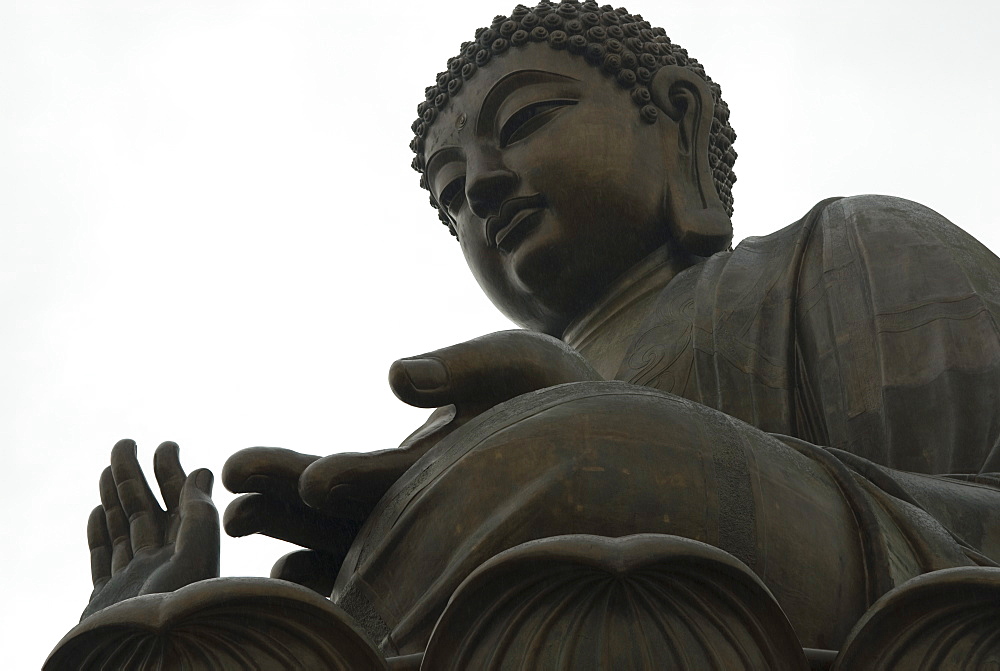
point(607, 459)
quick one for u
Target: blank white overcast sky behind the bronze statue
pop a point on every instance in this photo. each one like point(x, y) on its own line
point(210, 233)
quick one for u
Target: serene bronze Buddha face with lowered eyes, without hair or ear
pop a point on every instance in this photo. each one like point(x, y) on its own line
point(555, 184)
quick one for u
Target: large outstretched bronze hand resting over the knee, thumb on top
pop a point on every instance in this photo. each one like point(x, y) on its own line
point(320, 503)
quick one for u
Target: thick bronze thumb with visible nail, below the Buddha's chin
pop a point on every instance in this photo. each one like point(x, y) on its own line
point(488, 370)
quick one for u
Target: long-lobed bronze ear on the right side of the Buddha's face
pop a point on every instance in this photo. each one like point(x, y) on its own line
point(697, 216)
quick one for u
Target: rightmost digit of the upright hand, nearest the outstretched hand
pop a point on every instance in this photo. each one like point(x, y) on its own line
point(197, 548)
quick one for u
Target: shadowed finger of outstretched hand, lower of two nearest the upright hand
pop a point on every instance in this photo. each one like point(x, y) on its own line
point(301, 525)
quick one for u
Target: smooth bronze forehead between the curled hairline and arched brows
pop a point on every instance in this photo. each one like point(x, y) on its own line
point(543, 67)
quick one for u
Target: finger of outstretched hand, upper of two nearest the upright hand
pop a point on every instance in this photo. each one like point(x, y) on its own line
point(266, 470)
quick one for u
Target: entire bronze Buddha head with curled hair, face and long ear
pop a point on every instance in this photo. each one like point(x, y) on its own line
point(567, 143)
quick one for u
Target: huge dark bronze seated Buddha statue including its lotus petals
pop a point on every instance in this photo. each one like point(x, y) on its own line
point(692, 457)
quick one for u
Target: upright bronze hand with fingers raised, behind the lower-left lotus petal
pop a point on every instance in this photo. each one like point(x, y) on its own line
point(138, 548)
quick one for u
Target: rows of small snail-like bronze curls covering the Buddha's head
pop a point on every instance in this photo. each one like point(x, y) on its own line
point(623, 46)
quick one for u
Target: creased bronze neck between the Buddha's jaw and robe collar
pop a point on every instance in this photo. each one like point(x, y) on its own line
point(604, 331)
